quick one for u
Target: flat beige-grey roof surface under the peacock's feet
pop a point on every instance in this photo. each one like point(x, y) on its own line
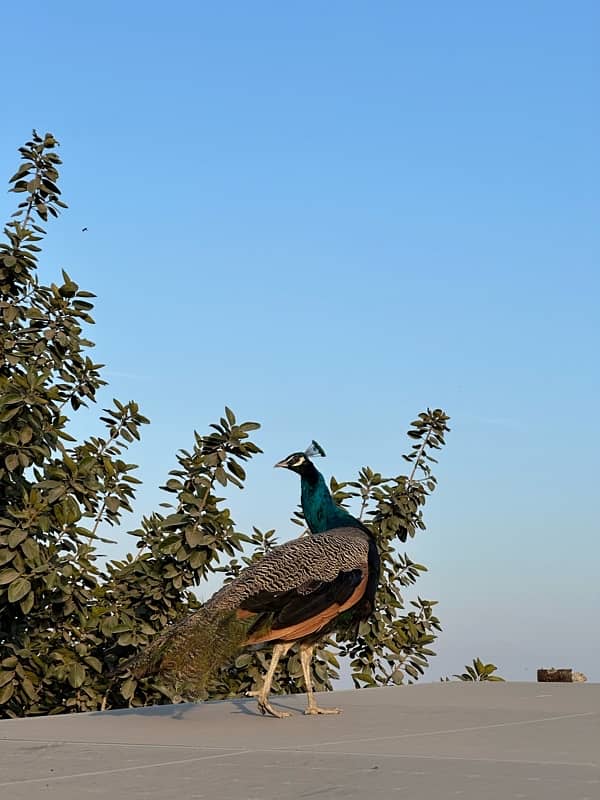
point(477, 741)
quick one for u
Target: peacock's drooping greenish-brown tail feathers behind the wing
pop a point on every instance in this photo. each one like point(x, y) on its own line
point(190, 652)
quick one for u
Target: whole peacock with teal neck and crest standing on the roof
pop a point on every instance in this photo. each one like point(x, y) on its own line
point(296, 594)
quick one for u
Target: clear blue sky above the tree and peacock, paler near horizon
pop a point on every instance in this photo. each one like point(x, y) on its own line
point(330, 216)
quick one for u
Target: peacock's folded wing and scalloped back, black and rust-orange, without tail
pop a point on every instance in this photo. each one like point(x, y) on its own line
point(300, 587)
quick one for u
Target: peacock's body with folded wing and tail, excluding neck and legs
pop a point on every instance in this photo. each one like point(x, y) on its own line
point(292, 592)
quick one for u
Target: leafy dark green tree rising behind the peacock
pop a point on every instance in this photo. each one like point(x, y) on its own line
point(65, 623)
